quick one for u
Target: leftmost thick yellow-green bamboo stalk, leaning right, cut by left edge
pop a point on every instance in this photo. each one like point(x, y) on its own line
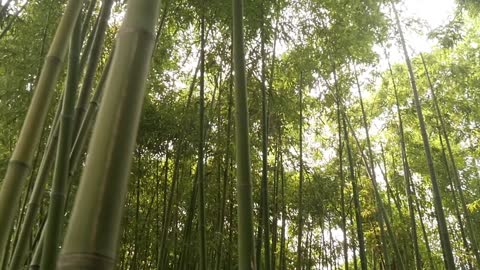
point(21, 160)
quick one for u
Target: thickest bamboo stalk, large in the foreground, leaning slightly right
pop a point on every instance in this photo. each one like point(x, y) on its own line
point(93, 232)
